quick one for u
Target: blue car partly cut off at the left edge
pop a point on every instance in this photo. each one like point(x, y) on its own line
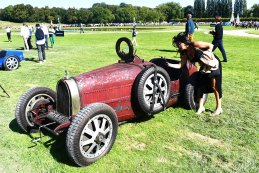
point(10, 59)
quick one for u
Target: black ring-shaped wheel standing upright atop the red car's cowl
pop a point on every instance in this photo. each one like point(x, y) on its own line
point(127, 57)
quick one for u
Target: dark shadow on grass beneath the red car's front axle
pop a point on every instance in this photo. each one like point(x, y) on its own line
point(57, 144)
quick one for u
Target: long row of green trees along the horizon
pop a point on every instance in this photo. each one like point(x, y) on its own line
point(124, 13)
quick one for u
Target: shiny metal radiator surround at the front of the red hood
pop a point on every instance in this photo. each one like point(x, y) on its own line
point(74, 94)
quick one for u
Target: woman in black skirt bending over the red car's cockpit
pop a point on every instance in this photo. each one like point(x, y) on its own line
point(210, 73)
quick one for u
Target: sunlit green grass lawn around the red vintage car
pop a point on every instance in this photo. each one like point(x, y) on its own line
point(175, 140)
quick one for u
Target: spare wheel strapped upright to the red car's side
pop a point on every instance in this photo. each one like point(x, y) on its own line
point(143, 88)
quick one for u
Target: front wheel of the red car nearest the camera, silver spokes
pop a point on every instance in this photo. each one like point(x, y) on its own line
point(86, 143)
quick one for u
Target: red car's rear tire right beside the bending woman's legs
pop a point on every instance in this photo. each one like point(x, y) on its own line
point(190, 93)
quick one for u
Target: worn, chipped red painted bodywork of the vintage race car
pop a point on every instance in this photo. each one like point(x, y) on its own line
point(113, 85)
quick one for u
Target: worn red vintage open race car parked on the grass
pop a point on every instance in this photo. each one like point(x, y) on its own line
point(89, 106)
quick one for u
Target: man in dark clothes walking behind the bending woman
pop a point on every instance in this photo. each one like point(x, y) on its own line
point(218, 36)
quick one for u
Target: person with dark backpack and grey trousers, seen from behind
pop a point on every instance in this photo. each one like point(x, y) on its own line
point(40, 42)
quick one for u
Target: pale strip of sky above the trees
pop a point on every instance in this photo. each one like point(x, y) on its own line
point(88, 3)
